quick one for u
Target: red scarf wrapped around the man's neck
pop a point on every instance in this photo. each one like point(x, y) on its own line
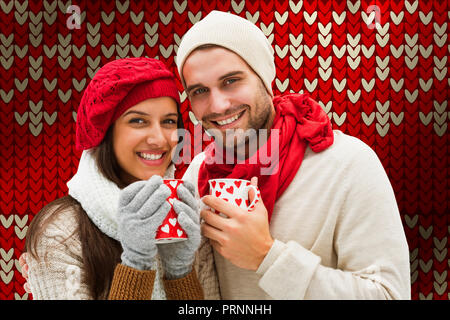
point(301, 121)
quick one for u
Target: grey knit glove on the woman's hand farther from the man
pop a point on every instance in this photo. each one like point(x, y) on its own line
point(142, 209)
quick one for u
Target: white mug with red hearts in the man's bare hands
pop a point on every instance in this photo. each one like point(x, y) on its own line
point(234, 191)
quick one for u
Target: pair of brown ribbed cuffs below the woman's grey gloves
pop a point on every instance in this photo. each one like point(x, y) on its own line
point(132, 284)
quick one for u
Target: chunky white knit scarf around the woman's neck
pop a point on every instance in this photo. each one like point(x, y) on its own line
point(99, 196)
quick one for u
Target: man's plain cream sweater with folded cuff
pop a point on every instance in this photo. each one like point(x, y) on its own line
point(337, 230)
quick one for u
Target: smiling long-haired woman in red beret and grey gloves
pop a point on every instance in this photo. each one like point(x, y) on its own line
point(98, 242)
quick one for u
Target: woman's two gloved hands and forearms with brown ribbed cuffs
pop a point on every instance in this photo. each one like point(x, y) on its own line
point(142, 207)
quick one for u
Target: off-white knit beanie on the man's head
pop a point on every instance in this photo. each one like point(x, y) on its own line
point(233, 33)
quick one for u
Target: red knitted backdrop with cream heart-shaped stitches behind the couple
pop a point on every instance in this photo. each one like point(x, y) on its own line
point(381, 74)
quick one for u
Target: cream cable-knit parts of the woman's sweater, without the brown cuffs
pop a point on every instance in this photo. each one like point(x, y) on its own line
point(59, 275)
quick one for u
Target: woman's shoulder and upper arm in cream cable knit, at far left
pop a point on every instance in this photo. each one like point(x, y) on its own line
point(54, 252)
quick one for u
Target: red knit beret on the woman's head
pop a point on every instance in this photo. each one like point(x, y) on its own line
point(116, 87)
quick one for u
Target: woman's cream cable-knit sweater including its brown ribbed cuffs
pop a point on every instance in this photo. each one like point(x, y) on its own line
point(60, 275)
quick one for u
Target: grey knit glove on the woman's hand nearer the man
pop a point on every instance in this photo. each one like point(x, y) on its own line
point(177, 258)
